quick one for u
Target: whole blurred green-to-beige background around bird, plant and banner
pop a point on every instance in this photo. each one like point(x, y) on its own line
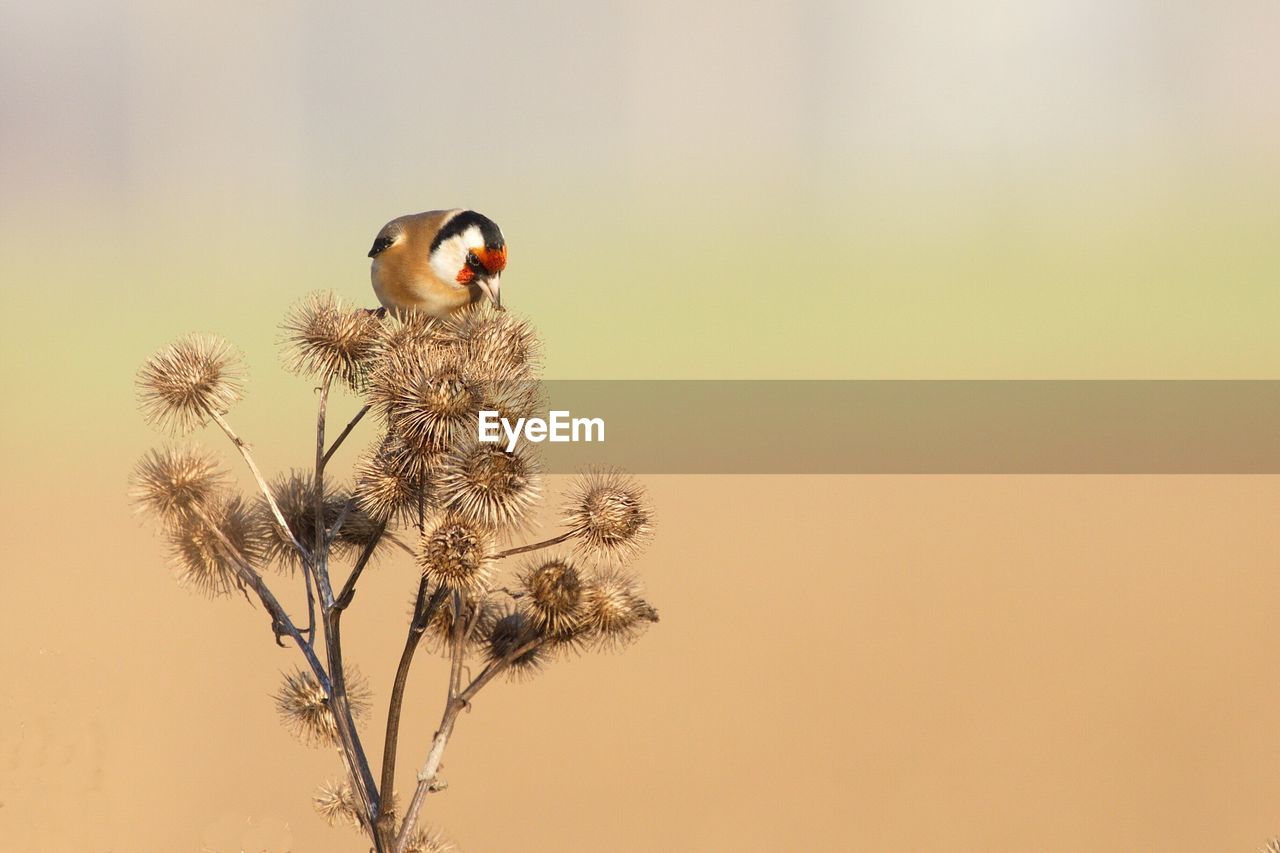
point(691, 190)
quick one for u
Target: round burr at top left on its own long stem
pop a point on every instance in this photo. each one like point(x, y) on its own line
point(181, 386)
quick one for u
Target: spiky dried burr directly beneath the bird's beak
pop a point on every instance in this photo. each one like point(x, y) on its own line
point(495, 345)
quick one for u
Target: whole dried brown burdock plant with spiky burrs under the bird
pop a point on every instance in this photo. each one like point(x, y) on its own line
point(428, 486)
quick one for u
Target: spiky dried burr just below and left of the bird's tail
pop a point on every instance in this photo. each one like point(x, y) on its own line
point(327, 339)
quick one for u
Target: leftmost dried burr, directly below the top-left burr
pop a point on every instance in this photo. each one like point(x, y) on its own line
point(172, 482)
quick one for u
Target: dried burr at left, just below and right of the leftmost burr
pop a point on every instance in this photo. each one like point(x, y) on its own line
point(200, 555)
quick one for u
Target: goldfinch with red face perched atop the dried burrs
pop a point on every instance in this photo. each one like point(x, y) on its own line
point(438, 262)
